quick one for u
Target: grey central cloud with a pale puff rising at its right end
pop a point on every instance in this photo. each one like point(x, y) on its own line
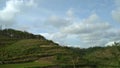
point(60, 22)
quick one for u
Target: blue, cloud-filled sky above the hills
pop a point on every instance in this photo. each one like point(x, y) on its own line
point(77, 23)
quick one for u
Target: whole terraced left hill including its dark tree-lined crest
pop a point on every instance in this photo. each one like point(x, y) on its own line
point(21, 47)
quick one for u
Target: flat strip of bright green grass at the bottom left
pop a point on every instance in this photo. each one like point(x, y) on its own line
point(25, 65)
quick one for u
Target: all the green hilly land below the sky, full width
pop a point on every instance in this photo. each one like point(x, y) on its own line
point(25, 50)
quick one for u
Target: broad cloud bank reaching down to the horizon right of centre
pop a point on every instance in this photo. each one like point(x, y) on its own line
point(91, 31)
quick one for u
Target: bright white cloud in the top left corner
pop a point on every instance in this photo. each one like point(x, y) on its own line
point(12, 9)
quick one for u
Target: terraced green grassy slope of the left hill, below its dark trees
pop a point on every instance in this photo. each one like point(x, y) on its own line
point(31, 50)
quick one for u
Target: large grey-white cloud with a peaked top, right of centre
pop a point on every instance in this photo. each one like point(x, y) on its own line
point(92, 24)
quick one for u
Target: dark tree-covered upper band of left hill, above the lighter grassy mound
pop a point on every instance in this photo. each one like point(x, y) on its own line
point(10, 36)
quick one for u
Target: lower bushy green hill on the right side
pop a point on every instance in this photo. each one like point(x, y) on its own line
point(102, 57)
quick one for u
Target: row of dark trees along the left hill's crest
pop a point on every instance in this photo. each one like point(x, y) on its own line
point(16, 34)
